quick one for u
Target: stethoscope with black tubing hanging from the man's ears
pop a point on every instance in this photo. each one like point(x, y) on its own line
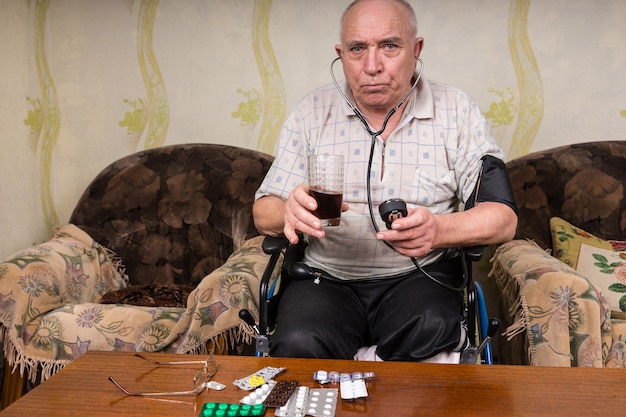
point(374, 134)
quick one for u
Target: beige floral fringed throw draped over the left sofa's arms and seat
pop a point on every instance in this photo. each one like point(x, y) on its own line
point(50, 312)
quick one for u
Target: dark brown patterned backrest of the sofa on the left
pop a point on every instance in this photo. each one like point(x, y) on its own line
point(174, 213)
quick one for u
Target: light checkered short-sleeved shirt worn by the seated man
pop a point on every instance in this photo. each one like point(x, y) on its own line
point(432, 159)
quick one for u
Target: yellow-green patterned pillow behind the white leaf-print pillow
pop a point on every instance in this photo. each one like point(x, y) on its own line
point(567, 238)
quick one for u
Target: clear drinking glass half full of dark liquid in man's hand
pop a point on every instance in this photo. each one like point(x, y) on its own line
point(326, 186)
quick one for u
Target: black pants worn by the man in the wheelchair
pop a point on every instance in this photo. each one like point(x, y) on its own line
point(409, 318)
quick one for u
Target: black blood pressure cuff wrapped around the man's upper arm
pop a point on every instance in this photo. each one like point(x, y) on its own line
point(493, 184)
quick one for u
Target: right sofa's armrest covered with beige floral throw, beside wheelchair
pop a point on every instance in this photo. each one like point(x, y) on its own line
point(564, 320)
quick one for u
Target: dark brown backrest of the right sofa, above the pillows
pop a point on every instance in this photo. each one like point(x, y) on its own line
point(581, 183)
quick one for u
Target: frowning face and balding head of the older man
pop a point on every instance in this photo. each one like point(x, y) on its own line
point(378, 53)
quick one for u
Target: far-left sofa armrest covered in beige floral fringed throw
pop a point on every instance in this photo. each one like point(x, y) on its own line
point(70, 268)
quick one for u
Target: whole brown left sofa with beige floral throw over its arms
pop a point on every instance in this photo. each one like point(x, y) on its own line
point(159, 254)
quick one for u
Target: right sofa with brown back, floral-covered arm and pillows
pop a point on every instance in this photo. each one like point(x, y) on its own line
point(562, 279)
